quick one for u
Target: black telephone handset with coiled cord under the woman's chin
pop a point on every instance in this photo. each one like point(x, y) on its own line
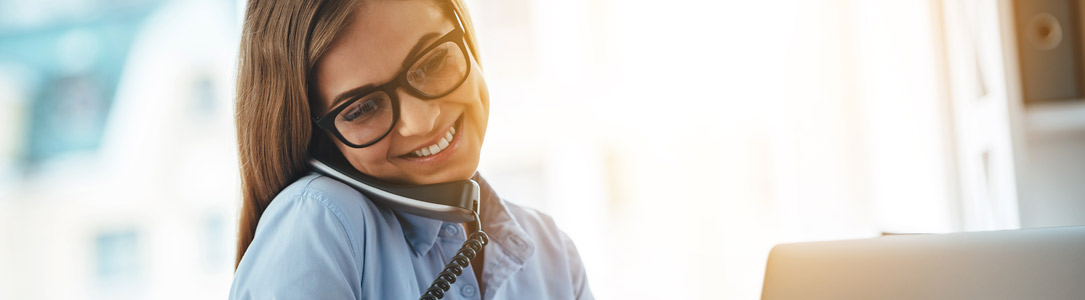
point(455, 202)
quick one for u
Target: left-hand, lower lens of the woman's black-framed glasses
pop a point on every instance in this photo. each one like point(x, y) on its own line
point(366, 120)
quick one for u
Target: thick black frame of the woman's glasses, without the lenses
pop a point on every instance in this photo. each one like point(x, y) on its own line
point(328, 121)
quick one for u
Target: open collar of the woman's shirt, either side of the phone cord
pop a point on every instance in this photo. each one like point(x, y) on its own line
point(508, 239)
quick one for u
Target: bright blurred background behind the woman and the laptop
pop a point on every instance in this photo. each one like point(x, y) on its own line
point(675, 142)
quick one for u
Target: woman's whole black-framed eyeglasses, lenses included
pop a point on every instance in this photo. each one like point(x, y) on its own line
point(369, 116)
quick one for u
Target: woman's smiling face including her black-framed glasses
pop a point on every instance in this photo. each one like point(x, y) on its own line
point(440, 94)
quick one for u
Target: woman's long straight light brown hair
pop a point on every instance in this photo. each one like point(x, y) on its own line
point(282, 42)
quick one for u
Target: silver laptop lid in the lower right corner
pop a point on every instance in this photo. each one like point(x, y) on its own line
point(1042, 264)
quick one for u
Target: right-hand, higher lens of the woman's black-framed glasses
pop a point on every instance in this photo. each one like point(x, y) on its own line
point(439, 71)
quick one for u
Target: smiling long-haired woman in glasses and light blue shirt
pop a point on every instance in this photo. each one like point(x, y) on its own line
point(395, 87)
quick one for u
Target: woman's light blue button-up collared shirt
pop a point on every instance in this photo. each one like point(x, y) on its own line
point(323, 240)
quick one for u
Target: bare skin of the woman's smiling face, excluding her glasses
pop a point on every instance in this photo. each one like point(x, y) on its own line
point(372, 52)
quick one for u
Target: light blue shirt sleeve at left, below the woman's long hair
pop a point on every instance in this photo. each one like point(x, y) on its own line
point(302, 251)
